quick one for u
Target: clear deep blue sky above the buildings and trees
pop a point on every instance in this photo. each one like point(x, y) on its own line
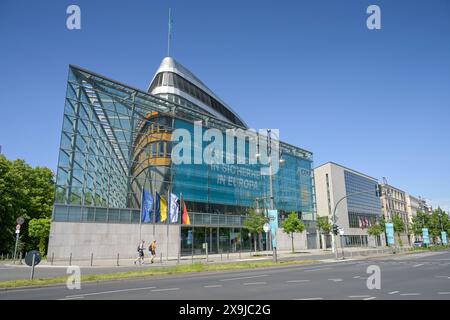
point(375, 101)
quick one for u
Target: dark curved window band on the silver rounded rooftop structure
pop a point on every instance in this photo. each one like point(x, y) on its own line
point(174, 80)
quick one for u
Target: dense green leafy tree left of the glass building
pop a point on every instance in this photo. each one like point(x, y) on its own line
point(24, 192)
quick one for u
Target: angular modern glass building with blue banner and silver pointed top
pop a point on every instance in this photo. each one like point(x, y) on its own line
point(116, 141)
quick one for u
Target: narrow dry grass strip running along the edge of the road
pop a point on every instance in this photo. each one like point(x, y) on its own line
point(153, 271)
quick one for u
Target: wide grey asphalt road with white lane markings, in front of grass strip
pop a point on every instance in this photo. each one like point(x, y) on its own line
point(417, 276)
